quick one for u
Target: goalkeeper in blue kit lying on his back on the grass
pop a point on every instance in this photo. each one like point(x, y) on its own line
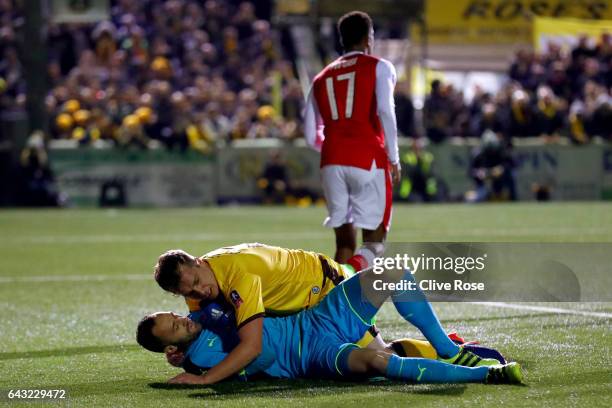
point(319, 342)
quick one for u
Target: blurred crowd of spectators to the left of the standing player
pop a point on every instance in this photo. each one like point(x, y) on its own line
point(163, 72)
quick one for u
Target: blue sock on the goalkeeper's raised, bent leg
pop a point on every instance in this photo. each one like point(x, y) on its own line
point(414, 307)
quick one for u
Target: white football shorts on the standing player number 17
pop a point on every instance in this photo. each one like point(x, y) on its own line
point(358, 196)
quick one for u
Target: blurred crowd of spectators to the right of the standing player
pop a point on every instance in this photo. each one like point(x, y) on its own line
point(551, 94)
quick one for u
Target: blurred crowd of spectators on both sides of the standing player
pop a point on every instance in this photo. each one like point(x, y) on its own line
point(192, 74)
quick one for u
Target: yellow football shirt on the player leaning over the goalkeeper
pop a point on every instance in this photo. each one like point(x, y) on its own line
point(258, 279)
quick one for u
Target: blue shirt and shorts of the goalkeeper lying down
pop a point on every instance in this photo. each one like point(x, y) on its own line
point(313, 343)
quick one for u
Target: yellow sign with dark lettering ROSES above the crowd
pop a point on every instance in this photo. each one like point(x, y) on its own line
point(501, 21)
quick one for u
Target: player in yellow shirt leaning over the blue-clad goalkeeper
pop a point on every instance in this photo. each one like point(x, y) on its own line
point(267, 279)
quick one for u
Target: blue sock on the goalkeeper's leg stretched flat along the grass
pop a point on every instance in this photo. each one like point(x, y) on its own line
point(424, 370)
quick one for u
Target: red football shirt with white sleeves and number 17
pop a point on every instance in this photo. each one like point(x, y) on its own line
point(350, 113)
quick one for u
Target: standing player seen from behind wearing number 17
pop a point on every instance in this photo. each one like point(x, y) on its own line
point(350, 119)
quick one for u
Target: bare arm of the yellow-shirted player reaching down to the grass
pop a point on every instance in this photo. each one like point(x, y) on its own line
point(247, 350)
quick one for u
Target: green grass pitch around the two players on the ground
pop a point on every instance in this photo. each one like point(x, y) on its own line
point(73, 284)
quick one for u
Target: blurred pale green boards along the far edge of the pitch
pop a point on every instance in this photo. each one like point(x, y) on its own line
point(162, 178)
